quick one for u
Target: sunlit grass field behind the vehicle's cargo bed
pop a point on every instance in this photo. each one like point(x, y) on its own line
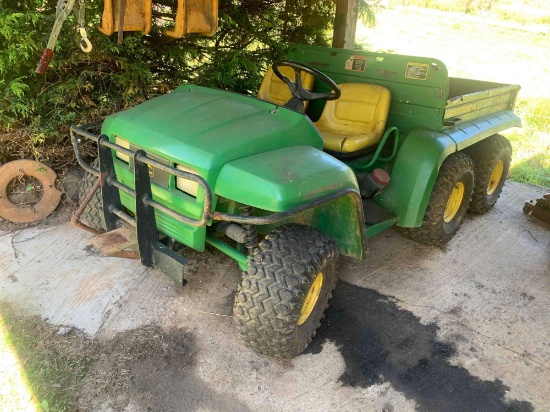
point(483, 46)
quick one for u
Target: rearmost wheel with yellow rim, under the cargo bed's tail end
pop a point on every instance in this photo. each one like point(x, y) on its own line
point(492, 158)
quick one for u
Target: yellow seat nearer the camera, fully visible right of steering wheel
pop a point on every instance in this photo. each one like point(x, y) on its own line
point(357, 119)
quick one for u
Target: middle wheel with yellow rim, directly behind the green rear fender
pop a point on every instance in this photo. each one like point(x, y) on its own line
point(448, 202)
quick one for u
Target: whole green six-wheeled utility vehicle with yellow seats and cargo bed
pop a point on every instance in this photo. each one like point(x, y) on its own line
point(338, 146)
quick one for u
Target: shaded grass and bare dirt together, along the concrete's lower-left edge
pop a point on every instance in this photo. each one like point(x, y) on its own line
point(145, 369)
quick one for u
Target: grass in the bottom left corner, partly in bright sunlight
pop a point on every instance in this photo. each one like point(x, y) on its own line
point(52, 365)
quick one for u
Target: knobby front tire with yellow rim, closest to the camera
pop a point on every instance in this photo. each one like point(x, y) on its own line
point(285, 291)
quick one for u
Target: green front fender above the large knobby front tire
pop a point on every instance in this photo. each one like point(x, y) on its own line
point(282, 179)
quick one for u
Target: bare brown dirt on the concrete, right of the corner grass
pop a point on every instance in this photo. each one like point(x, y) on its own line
point(148, 369)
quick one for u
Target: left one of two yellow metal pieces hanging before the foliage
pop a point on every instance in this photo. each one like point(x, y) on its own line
point(137, 16)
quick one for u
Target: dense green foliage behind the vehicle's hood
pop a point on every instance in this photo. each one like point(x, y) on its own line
point(80, 87)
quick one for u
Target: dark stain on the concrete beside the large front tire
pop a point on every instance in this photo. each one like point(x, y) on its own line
point(382, 343)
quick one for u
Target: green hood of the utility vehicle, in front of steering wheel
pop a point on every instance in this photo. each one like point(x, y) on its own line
point(206, 128)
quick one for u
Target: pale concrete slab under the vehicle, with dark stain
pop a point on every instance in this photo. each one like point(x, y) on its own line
point(412, 327)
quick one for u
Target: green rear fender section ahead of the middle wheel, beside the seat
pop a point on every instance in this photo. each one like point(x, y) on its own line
point(413, 175)
